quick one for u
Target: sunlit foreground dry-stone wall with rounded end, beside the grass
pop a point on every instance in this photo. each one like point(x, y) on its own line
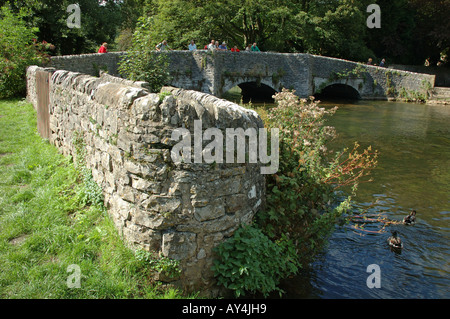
point(180, 210)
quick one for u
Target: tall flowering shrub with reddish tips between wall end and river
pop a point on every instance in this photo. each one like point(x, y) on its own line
point(302, 203)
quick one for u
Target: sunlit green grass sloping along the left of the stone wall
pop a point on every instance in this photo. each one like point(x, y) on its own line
point(47, 223)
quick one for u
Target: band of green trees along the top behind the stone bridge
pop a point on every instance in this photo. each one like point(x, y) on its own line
point(411, 30)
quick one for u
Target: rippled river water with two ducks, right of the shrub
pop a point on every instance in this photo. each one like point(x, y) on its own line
point(413, 172)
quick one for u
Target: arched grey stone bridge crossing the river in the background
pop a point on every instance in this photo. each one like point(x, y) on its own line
point(260, 74)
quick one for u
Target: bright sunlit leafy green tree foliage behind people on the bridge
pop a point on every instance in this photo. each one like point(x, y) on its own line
point(333, 28)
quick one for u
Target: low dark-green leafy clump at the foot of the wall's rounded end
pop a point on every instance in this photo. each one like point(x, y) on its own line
point(250, 262)
